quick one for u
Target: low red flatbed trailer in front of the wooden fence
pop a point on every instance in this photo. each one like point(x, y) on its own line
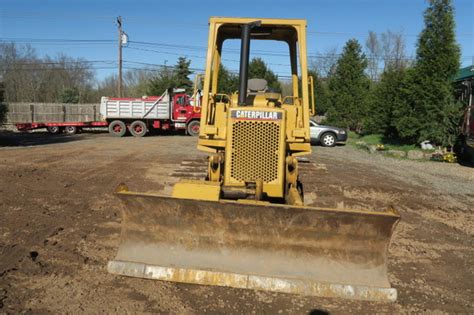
point(58, 127)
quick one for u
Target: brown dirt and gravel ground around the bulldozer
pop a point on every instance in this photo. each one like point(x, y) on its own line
point(60, 224)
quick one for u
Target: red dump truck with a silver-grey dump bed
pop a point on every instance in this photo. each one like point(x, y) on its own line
point(170, 111)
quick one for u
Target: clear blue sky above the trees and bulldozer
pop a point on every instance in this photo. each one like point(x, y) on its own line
point(161, 31)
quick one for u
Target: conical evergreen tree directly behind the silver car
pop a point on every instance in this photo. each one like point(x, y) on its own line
point(348, 89)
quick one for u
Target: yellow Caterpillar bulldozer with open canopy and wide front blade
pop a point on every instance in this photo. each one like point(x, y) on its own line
point(245, 225)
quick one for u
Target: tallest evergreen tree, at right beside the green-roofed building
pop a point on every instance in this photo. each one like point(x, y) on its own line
point(430, 110)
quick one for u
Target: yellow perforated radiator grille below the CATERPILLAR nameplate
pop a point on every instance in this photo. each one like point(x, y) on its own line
point(255, 150)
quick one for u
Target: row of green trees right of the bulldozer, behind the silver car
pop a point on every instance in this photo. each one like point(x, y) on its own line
point(408, 102)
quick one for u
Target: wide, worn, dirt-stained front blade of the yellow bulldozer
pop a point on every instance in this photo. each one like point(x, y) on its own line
point(302, 250)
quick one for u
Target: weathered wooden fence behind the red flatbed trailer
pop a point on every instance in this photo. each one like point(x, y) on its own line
point(51, 112)
